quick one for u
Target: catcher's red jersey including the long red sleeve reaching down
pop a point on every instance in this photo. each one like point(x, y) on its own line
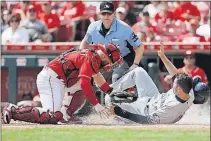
point(82, 65)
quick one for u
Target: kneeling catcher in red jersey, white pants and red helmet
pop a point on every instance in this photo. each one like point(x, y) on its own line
point(70, 73)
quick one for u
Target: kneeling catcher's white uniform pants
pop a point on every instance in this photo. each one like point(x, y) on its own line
point(52, 89)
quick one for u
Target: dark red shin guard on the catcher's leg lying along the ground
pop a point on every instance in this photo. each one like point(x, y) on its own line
point(36, 115)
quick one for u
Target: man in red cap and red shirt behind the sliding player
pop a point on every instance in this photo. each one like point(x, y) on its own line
point(190, 68)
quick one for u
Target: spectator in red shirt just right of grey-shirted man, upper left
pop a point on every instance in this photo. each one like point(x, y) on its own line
point(51, 20)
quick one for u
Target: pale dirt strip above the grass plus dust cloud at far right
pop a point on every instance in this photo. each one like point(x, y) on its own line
point(196, 118)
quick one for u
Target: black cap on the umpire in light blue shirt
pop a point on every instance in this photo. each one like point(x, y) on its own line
point(106, 6)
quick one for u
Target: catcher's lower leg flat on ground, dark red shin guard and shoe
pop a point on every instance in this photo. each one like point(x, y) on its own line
point(30, 114)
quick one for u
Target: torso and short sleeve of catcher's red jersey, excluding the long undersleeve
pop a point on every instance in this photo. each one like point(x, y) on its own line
point(85, 63)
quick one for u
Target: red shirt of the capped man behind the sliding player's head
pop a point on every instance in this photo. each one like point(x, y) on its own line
point(196, 72)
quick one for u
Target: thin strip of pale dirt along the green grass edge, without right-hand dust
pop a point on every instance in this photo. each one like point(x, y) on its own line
point(95, 122)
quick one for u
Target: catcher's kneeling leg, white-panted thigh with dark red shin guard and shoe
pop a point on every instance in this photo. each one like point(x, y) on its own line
point(51, 92)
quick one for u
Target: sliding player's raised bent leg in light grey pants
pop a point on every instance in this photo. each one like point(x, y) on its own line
point(140, 78)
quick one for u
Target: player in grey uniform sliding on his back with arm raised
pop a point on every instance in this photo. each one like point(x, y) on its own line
point(151, 107)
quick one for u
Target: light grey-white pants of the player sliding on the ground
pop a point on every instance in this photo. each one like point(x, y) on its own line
point(145, 86)
